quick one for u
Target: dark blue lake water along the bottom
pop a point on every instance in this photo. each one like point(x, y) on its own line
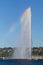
point(21, 62)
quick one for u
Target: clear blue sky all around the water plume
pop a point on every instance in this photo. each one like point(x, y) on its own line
point(10, 12)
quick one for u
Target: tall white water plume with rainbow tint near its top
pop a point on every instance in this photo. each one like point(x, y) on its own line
point(24, 49)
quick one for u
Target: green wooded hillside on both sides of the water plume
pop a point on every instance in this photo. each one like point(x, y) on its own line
point(8, 52)
